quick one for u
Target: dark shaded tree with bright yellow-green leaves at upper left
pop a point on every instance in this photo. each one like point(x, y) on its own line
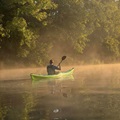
point(20, 22)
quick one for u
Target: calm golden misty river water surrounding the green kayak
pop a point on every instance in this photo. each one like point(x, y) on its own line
point(93, 94)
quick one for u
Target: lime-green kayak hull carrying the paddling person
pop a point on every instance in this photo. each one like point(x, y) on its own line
point(67, 73)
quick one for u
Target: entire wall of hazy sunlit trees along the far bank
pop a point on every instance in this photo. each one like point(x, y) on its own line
point(33, 32)
